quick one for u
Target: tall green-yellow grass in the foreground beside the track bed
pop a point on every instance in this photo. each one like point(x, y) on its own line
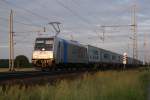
point(109, 85)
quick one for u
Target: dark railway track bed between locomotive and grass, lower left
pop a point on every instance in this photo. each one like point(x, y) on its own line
point(34, 77)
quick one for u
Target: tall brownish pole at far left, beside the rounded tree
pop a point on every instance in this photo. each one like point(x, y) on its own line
point(11, 43)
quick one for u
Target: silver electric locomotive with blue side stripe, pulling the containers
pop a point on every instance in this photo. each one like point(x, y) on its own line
point(53, 52)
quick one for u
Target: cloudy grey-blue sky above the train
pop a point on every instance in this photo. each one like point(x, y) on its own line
point(81, 20)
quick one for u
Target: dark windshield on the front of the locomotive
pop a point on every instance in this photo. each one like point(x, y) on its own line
point(45, 44)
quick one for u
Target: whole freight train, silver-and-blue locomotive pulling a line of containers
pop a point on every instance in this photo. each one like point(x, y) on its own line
point(52, 53)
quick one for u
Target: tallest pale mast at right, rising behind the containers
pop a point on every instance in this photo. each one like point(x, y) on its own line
point(134, 28)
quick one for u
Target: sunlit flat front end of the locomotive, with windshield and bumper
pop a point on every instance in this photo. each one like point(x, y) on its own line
point(43, 55)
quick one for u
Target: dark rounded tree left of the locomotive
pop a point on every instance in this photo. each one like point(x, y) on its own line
point(21, 61)
